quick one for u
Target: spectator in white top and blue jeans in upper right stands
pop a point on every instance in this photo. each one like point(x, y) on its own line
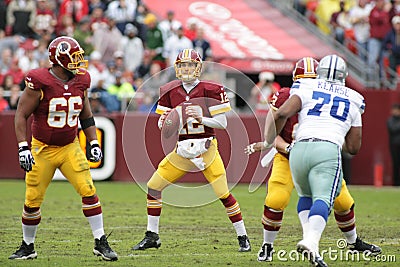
point(359, 17)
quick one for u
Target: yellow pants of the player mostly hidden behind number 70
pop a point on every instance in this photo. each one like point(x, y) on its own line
point(280, 187)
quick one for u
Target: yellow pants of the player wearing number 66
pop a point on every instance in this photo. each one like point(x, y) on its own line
point(72, 162)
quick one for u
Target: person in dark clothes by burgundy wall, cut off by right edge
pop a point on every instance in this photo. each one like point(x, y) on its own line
point(393, 126)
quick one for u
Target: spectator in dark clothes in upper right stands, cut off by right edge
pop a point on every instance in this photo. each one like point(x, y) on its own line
point(391, 44)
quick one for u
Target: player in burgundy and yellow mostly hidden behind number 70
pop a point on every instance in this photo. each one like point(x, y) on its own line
point(280, 184)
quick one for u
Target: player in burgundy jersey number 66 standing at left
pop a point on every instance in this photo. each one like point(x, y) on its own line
point(57, 98)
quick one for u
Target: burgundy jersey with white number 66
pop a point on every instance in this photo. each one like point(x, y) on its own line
point(55, 120)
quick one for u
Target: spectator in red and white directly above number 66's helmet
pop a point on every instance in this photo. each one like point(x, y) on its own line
point(45, 20)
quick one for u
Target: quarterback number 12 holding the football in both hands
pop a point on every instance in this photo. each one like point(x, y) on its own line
point(201, 107)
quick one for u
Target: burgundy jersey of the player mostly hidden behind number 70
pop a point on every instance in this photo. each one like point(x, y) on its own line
point(288, 130)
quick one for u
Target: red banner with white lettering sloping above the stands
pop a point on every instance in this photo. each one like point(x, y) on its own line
point(250, 36)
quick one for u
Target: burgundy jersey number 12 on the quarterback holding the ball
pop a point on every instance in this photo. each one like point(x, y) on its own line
point(208, 97)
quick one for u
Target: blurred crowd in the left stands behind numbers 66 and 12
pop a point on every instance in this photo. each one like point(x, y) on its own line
point(123, 40)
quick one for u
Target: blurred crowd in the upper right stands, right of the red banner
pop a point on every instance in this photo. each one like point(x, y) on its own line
point(368, 28)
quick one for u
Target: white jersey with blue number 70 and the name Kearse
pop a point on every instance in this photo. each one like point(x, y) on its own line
point(328, 110)
